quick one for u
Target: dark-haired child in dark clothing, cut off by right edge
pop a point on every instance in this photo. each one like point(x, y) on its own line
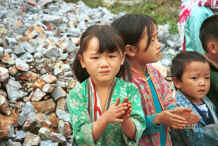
point(209, 40)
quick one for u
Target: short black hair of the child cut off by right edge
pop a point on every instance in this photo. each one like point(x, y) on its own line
point(209, 30)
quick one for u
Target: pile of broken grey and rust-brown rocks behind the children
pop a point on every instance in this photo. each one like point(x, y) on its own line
point(38, 41)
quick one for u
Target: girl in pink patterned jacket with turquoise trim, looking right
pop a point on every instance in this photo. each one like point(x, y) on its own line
point(140, 34)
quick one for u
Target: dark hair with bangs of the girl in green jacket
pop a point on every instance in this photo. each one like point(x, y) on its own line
point(109, 41)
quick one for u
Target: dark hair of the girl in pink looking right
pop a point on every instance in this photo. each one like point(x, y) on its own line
point(132, 26)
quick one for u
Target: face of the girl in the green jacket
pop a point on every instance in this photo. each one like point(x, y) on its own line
point(103, 67)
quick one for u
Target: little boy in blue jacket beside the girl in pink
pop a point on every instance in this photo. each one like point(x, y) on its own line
point(191, 76)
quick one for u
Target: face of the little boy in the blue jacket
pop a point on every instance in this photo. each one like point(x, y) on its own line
point(195, 81)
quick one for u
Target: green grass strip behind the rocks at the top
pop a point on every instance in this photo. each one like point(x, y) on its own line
point(166, 13)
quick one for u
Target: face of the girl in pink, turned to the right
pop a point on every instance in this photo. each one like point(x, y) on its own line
point(152, 53)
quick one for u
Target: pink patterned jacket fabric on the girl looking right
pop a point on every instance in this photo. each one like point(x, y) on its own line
point(166, 99)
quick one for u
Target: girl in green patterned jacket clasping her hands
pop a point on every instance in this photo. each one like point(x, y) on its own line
point(105, 110)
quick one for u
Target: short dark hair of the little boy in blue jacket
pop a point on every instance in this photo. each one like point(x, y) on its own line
point(180, 61)
